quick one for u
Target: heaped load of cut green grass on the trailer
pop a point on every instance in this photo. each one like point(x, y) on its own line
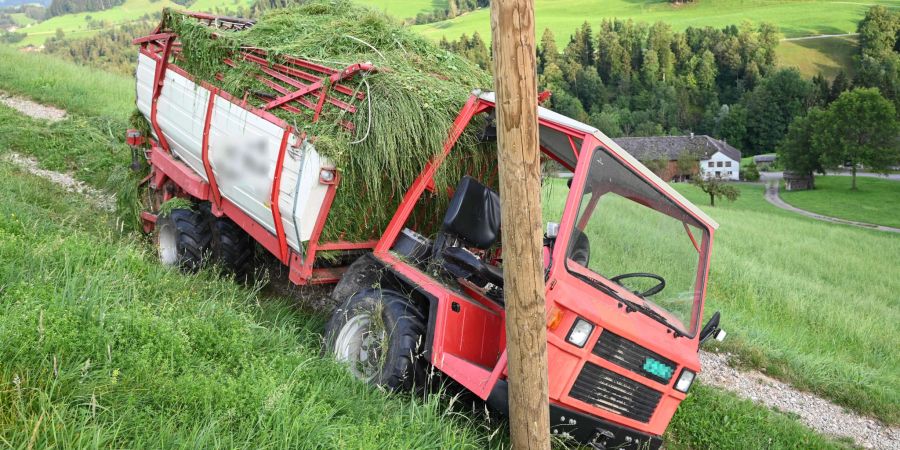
point(411, 101)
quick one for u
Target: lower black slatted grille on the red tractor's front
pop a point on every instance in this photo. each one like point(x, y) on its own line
point(608, 390)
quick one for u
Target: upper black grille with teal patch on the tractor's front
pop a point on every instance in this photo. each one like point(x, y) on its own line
point(627, 354)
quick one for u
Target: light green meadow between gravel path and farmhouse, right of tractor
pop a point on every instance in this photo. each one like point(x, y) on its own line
point(813, 303)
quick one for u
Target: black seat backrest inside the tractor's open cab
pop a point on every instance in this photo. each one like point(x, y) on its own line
point(473, 214)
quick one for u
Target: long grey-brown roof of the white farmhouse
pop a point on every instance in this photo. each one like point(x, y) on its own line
point(671, 147)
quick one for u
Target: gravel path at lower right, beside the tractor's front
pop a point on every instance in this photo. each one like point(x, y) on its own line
point(816, 412)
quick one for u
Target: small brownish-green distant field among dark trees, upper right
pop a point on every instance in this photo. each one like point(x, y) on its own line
point(827, 56)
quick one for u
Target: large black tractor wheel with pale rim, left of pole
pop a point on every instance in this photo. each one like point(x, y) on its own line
point(380, 335)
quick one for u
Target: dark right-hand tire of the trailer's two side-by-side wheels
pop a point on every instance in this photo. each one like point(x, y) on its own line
point(232, 248)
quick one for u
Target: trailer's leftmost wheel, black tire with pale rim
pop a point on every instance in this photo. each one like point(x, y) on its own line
point(182, 239)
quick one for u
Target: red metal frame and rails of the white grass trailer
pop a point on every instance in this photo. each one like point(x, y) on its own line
point(300, 87)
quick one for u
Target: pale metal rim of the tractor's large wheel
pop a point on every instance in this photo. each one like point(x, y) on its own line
point(359, 344)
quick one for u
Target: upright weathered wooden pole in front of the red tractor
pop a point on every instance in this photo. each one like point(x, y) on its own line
point(512, 27)
